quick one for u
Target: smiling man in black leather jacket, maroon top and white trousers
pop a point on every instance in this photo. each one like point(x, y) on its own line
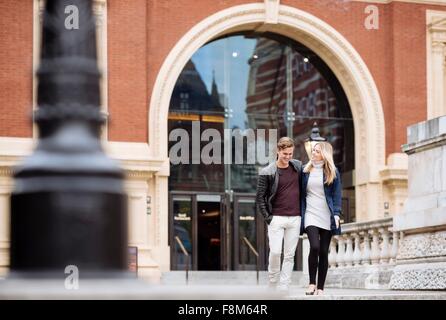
point(278, 200)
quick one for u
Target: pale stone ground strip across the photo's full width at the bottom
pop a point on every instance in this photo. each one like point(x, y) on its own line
point(135, 289)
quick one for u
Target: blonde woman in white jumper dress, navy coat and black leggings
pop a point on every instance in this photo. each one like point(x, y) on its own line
point(320, 209)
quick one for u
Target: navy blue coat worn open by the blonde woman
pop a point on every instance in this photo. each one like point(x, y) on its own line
point(333, 195)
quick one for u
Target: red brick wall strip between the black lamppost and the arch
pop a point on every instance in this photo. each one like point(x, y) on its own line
point(127, 70)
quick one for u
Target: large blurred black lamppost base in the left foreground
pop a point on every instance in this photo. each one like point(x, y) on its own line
point(68, 206)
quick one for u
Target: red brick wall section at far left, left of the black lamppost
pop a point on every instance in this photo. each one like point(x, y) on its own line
point(16, 45)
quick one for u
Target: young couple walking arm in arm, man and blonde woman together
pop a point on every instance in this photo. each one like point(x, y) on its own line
point(296, 199)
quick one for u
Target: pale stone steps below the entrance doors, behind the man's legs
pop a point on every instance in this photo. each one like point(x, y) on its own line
point(223, 277)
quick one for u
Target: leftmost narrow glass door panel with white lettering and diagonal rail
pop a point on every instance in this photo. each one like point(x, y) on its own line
point(182, 222)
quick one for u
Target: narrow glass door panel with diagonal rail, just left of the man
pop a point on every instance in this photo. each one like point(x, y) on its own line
point(247, 228)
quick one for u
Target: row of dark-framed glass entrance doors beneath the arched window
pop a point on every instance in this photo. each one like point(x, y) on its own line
point(213, 232)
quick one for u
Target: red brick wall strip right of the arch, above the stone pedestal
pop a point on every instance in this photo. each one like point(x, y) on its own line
point(409, 71)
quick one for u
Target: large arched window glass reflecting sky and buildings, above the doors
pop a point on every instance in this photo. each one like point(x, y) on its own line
point(251, 82)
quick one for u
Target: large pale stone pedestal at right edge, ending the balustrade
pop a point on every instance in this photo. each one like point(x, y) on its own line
point(421, 258)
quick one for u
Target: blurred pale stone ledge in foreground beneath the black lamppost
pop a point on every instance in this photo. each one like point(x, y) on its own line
point(129, 289)
